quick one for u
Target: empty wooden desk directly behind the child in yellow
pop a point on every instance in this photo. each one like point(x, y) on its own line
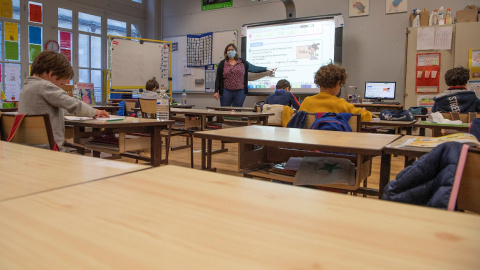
point(362, 144)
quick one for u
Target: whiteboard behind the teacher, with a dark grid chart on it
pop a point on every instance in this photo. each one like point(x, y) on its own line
point(184, 78)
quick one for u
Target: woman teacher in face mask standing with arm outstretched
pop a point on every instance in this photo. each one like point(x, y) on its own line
point(231, 84)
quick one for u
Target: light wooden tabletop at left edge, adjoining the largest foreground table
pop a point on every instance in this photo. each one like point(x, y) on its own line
point(27, 170)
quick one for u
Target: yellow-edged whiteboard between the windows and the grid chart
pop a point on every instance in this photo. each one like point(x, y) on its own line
point(134, 62)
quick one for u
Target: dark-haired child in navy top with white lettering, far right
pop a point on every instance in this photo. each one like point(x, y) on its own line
point(457, 98)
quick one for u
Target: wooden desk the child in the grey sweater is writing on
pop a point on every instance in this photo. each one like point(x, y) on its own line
point(129, 125)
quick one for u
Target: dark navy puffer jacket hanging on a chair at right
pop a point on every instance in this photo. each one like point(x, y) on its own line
point(429, 180)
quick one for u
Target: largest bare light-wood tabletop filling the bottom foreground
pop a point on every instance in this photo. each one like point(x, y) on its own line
point(180, 218)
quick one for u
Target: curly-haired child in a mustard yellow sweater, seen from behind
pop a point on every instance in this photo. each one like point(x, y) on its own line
point(330, 78)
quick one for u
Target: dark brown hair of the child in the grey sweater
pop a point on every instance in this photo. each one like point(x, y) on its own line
point(49, 61)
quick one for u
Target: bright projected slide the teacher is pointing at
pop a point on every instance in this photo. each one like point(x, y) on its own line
point(296, 49)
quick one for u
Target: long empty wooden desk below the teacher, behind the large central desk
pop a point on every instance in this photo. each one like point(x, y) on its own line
point(203, 114)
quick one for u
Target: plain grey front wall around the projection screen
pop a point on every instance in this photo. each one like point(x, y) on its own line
point(373, 45)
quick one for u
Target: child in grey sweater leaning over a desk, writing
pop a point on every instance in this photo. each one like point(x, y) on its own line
point(41, 93)
